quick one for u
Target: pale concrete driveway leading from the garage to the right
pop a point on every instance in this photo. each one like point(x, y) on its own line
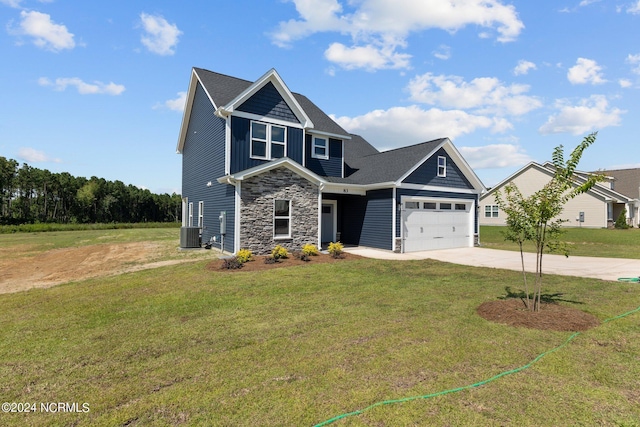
point(599, 268)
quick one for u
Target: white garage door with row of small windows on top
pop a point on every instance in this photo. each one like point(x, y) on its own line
point(436, 224)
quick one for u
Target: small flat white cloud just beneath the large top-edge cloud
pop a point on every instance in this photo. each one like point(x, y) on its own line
point(368, 57)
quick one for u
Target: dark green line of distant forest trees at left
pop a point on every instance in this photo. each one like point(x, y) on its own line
point(31, 195)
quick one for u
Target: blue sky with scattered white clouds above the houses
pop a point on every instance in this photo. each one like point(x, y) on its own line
point(97, 88)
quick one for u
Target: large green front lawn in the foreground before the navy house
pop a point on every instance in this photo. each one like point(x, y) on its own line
point(182, 345)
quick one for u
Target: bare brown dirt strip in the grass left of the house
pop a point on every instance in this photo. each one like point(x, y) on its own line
point(59, 266)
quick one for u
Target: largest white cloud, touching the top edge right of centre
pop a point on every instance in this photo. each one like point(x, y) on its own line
point(378, 28)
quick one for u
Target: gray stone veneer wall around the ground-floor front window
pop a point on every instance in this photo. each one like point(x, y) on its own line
point(256, 210)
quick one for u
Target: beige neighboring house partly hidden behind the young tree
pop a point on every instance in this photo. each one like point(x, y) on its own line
point(597, 208)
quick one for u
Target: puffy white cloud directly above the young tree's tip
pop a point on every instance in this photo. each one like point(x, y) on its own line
point(590, 114)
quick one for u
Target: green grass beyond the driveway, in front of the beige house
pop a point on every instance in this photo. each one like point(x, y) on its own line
point(597, 242)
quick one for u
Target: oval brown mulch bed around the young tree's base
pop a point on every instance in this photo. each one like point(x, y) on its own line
point(550, 317)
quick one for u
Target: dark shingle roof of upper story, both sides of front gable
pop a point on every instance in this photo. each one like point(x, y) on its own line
point(223, 89)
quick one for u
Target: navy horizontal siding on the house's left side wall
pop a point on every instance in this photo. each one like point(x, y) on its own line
point(203, 158)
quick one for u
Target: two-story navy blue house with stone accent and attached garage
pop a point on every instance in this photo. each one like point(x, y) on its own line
point(263, 166)
